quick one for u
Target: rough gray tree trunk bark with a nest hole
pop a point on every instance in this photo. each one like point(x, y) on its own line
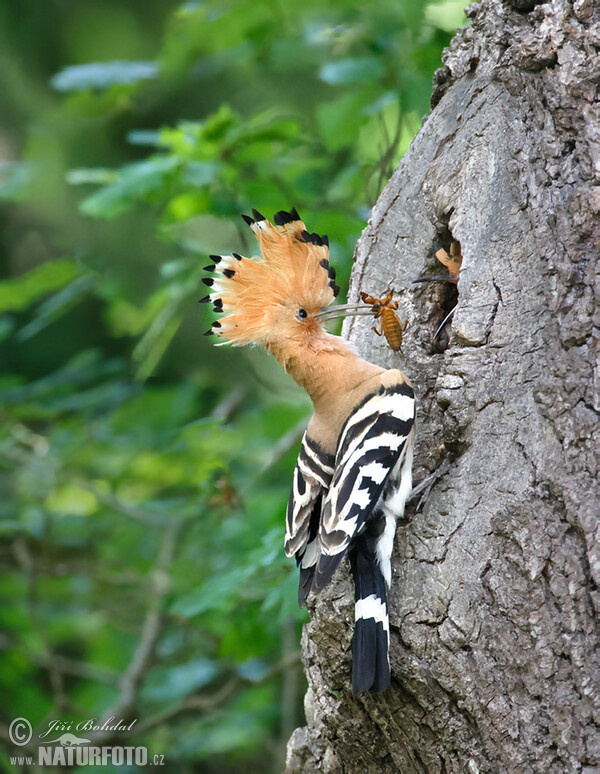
point(497, 562)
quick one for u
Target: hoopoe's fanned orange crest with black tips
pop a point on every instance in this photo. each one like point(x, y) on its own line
point(292, 270)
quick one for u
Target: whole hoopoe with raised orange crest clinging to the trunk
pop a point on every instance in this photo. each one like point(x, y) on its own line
point(354, 470)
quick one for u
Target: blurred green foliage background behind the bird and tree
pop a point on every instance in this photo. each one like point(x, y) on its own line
point(144, 473)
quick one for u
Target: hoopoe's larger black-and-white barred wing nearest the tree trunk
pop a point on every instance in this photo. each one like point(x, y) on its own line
point(372, 446)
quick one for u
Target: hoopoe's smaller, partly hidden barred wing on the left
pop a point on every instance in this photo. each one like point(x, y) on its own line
point(312, 478)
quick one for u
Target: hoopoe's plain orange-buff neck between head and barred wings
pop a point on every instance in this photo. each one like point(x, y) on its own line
point(325, 366)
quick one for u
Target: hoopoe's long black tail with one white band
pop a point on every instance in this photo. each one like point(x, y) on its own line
point(370, 644)
